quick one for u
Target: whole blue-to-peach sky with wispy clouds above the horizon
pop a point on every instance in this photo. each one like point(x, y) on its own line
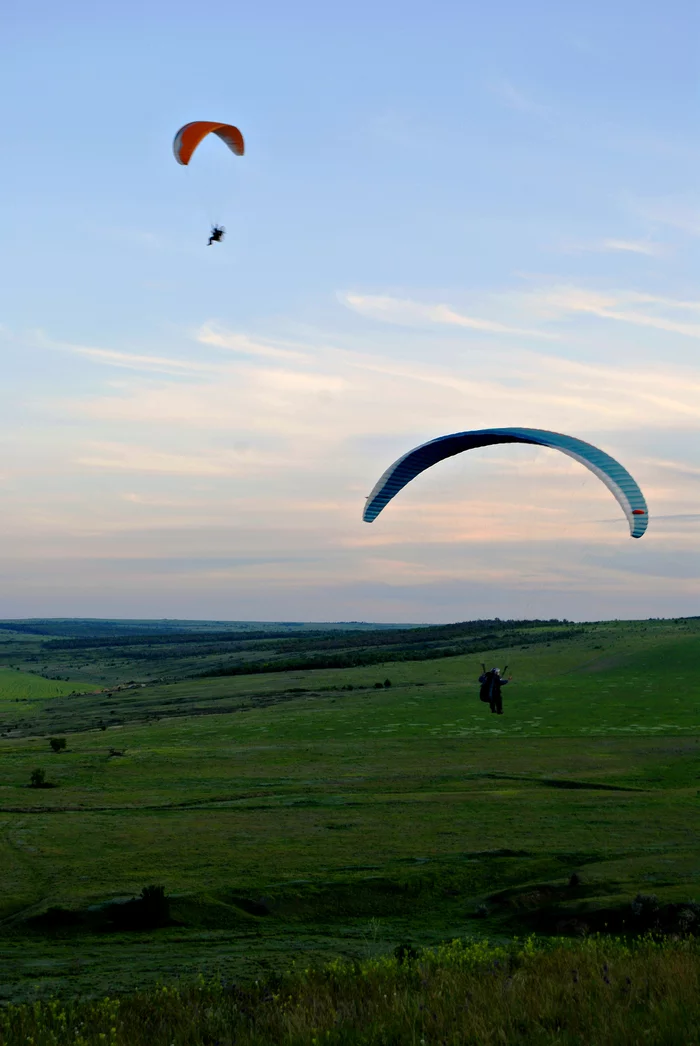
point(449, 216)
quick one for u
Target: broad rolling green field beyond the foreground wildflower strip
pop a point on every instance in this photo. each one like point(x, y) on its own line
point(287, 815)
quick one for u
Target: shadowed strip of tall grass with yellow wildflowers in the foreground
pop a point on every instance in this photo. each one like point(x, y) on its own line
point(598, 991)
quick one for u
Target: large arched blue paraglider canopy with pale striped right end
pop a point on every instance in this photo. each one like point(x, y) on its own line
point(606, 468)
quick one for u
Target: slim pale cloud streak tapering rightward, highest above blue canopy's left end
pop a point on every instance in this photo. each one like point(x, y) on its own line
point(410, 313)
